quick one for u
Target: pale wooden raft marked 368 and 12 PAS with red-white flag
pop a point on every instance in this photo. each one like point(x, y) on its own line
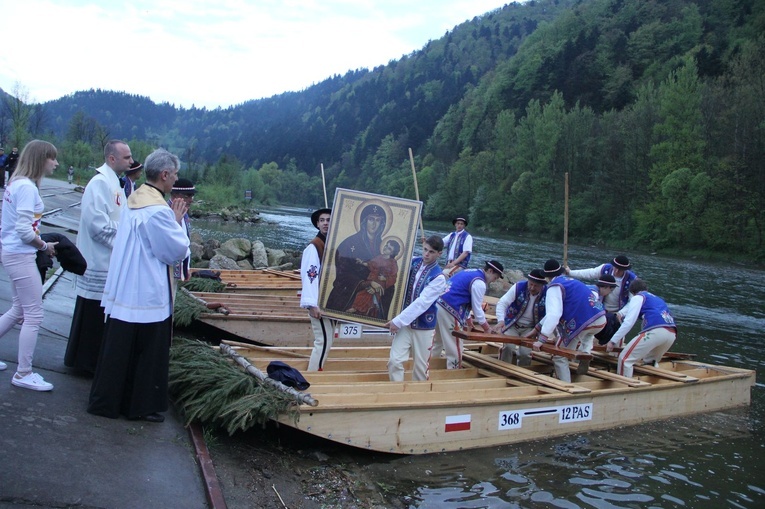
point(488, 403)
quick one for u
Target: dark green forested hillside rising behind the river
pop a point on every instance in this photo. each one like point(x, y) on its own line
point(655, 109)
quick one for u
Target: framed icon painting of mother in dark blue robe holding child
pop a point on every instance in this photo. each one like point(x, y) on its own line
point(367, 256)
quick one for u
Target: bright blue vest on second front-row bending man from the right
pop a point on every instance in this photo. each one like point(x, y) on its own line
point(581, 307)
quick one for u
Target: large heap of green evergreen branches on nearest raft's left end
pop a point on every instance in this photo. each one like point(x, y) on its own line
point(210, 389)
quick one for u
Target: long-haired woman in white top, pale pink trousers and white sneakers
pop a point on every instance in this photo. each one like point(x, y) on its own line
point(22, 211)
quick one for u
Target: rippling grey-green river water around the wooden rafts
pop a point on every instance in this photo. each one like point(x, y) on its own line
point(705, 461)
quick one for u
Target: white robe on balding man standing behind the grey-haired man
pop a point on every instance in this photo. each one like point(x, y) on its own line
point(101, 206)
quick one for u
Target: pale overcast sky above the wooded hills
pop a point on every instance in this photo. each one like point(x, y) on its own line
point(209, 53)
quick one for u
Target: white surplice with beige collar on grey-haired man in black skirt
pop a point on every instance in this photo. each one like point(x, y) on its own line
point(149, 241)
